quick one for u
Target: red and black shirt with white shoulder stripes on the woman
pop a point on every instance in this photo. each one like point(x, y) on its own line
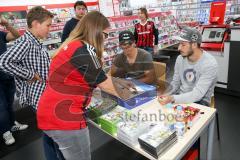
point(73, 74)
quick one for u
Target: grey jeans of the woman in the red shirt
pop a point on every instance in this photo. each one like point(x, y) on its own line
point(74, 144)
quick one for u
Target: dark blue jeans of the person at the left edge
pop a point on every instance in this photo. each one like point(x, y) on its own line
point(7, 118)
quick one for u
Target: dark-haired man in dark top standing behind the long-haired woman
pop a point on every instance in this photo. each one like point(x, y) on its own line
point(80, 9)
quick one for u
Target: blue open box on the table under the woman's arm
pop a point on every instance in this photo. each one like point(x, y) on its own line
point(148, 93)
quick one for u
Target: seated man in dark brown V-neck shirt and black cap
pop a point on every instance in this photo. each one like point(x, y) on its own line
point(134, 63)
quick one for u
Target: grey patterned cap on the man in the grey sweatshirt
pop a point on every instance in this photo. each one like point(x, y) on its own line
point(189, 34)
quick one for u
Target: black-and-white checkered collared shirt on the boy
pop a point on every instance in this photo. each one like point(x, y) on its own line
point(23, 60)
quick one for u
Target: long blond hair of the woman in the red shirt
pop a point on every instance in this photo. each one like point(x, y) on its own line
point(90, 30)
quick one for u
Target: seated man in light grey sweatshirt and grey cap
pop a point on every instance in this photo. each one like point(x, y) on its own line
point(195, 73)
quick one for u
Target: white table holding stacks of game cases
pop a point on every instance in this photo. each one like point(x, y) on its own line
point(178, 149)
